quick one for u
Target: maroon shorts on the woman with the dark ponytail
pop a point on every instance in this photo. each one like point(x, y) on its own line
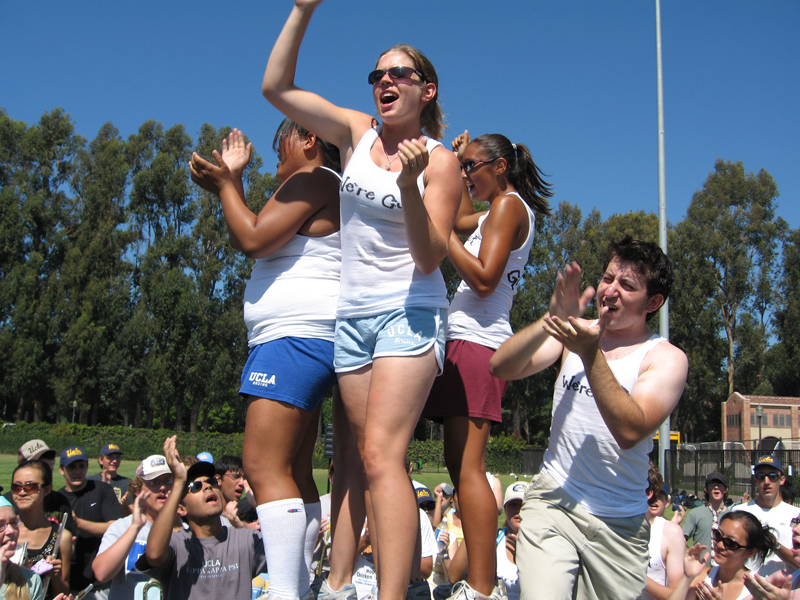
point(466, 388)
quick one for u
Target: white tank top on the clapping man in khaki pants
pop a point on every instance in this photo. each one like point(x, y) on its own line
point(582, 455)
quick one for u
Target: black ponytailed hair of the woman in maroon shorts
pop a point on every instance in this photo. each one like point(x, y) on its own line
point(523, 173)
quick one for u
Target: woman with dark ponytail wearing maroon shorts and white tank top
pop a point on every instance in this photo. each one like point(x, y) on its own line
point(491, 264)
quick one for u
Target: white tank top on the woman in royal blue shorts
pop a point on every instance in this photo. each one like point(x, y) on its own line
point(293, 291)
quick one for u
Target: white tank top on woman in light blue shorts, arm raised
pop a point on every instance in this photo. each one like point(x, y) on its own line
point(378, 273)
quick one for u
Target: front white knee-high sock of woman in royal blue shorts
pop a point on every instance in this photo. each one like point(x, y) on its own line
point(283, 529)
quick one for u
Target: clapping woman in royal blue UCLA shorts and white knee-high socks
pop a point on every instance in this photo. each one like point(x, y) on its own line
point(289, 310)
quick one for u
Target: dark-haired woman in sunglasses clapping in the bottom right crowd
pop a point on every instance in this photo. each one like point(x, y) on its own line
point(739, 537)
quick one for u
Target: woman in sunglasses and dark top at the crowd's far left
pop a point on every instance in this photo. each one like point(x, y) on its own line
point(31, 482)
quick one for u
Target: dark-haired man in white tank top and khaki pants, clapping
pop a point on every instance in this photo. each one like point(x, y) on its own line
point(617, 384)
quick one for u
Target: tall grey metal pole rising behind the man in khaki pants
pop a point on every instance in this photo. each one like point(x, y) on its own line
point(663, 431)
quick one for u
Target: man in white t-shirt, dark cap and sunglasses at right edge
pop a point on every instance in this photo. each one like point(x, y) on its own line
point(769, 508)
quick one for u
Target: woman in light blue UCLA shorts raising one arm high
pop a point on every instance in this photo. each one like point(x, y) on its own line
point(399, 197)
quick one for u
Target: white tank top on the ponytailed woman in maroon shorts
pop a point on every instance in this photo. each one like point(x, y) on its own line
point(485, 320)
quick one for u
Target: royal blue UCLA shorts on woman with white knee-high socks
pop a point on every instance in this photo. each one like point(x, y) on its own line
point(297, 371)
